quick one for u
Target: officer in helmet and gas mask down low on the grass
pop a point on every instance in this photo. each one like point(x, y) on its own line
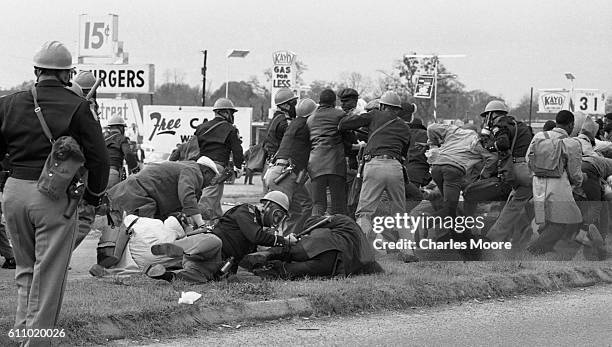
point(238, 233)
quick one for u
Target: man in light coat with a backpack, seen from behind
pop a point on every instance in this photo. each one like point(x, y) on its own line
point(553, 197)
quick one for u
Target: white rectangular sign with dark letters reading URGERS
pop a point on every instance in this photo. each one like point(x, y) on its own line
point(137, 79)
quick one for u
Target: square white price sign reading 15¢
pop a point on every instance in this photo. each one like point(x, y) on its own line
point(97, 35)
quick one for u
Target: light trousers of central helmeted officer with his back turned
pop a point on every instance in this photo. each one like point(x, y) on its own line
point(380, 175)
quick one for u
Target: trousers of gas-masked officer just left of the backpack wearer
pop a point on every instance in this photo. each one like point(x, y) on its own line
point(514, 222)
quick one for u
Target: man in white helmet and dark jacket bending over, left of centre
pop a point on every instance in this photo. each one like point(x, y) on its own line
point(157, 191)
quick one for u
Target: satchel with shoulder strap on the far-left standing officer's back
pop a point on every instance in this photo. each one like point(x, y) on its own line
point(63, 166)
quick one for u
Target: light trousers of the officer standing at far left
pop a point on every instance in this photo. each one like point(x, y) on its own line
point(43, 239)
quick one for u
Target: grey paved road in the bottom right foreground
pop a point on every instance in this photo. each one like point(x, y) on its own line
point(574, 318)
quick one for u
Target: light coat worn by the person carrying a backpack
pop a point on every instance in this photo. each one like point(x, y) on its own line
point(553, 199)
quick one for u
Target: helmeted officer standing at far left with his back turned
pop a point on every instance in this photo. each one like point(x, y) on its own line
point(42, 235)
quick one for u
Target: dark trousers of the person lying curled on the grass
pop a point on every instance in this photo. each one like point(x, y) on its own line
point(302, 265)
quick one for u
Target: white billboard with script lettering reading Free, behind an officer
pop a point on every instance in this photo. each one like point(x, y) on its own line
point(166, 126)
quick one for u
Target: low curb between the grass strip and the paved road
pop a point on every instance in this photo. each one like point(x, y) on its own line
point(192, 318)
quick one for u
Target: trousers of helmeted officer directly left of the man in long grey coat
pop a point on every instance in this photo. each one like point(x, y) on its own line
point(300, 203)
